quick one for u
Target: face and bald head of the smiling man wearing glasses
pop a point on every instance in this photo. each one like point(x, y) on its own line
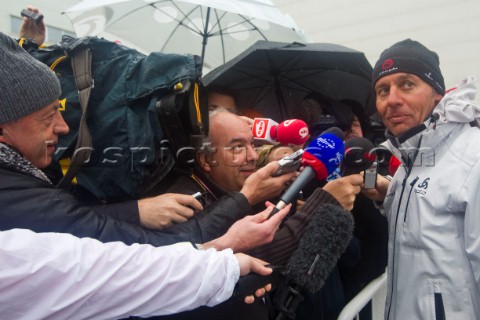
point(234, 158)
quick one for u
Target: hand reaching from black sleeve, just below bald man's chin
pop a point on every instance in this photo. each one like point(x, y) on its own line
point(261, 186)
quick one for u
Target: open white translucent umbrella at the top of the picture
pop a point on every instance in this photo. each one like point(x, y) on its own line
point(217, 30)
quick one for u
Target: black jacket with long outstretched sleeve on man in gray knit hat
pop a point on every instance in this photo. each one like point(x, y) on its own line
point(32, 203)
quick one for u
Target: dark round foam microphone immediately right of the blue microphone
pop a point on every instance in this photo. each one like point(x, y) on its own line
point(358, 156)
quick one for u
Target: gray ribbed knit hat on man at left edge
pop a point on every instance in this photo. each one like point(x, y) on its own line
point(26, 84)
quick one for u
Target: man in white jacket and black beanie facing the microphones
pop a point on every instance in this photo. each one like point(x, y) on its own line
point(432, 202)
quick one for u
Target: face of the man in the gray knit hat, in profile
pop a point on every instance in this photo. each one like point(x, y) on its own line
point(35, 136)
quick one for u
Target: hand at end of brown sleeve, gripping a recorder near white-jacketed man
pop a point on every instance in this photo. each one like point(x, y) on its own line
point(345, 189)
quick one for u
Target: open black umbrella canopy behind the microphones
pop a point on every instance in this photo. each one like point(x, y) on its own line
point(274, 77)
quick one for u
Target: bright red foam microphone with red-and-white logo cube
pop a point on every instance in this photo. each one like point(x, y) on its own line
point(291, 131)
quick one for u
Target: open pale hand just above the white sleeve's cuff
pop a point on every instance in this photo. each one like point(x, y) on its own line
point(251, 231)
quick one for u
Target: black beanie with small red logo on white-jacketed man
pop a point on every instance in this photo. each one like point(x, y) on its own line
point(410, 56)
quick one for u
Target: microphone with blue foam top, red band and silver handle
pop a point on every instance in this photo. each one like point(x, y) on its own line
point(320, 158)
